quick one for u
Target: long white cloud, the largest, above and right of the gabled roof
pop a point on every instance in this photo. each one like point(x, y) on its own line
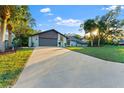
point(67, 22)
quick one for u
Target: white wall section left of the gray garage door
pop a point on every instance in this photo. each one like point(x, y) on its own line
point(34, 41)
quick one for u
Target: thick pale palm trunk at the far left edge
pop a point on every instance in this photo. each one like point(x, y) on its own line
point(2, 35)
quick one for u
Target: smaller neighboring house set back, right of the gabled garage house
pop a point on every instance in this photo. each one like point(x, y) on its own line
point(72, 41)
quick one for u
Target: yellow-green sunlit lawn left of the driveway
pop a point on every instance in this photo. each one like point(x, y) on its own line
point(11, 65)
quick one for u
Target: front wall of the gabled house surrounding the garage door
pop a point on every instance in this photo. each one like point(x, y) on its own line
point(34, 41)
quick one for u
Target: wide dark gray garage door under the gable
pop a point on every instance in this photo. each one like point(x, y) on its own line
point(47, 42)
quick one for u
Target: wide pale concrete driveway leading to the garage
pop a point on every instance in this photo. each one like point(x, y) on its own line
point(52, 67)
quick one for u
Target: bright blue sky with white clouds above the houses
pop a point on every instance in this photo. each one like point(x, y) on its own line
point(66, 19)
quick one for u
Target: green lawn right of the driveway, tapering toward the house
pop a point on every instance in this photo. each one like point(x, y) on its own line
point(110, 53)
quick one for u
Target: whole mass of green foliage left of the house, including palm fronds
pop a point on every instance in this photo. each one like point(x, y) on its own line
point(19, 21)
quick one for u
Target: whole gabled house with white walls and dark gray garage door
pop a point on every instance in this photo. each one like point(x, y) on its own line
point(48, 38)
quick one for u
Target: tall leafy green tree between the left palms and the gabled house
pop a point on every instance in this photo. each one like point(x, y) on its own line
point(21, 22)
